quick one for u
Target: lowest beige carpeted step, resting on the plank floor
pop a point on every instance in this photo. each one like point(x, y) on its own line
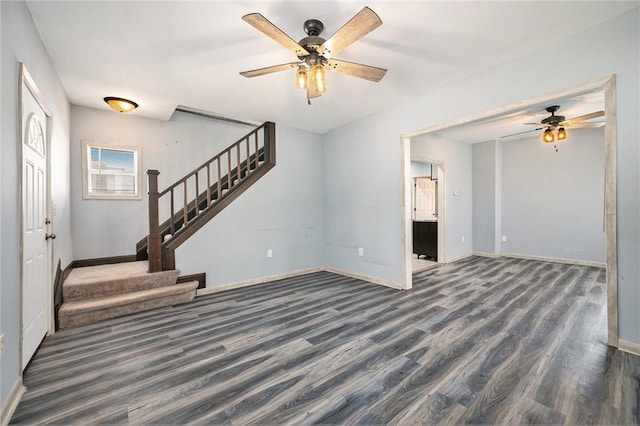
point(73, 314)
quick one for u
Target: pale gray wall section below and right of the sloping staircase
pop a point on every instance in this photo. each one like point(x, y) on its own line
point(281, 212)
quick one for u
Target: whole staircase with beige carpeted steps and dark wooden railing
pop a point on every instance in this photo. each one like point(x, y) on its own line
point(94, 293)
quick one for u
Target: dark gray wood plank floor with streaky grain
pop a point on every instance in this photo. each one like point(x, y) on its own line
point(478, 341)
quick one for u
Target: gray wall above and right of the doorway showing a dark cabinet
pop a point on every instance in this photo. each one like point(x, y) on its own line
point(458, 209)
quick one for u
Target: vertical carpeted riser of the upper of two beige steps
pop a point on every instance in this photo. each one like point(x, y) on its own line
point(105, 288)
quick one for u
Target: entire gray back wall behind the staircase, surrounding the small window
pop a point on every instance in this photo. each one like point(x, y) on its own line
point(282, 212)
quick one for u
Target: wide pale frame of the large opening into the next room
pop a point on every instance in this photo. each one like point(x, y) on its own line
point(608, 85)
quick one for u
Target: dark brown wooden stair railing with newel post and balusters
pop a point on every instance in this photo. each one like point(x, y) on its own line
point(213, 186)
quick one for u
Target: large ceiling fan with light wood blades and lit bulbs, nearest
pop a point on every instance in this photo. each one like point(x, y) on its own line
point(315, 53)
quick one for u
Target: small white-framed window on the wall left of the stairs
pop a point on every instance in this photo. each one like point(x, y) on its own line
point(111, 172)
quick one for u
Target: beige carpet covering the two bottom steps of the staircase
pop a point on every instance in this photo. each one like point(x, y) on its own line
point(96, 293)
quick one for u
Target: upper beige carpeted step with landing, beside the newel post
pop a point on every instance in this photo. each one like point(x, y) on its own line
point(92, 282)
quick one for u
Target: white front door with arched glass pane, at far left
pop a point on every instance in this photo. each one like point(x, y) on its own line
point(35, 278)
